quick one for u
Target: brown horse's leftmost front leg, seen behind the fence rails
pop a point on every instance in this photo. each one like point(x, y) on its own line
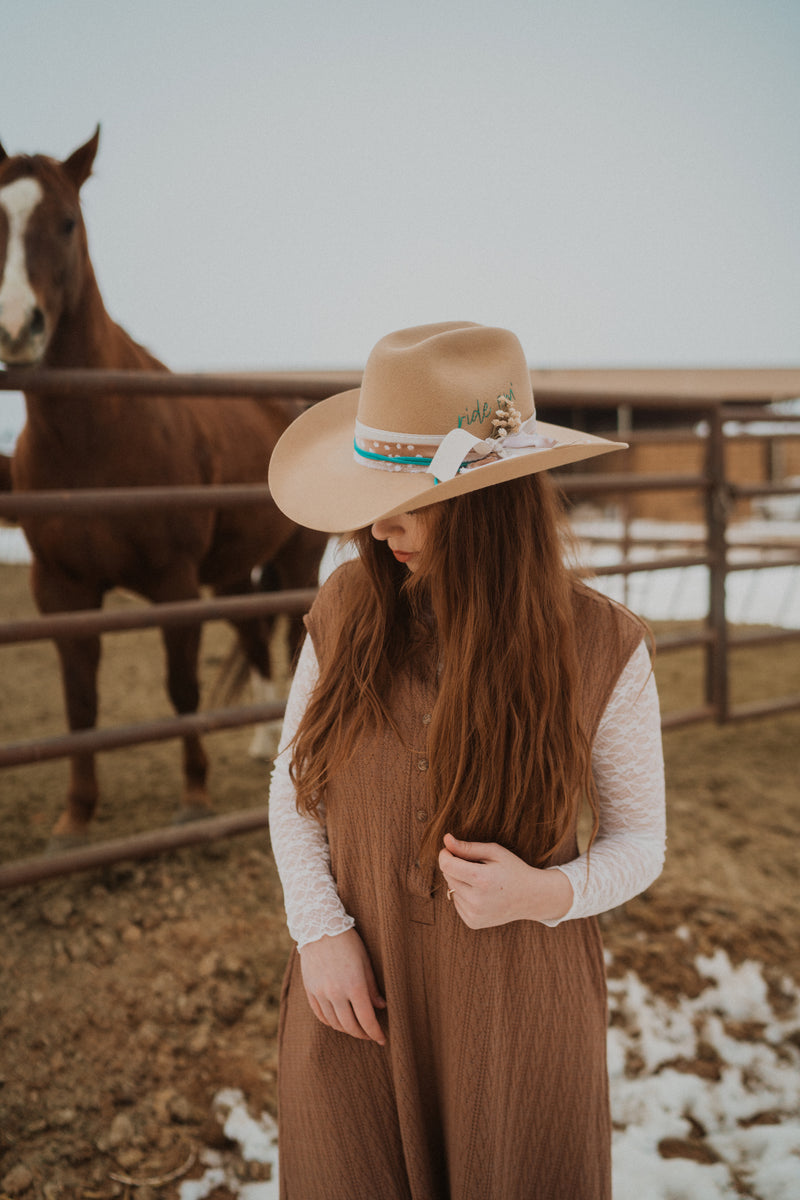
point(80, 661)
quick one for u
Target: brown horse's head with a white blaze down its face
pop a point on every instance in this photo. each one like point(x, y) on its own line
point(44, 255)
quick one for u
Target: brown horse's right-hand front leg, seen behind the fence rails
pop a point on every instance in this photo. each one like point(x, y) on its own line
point(182, 646)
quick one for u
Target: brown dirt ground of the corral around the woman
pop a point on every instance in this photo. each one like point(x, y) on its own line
point(130, 995)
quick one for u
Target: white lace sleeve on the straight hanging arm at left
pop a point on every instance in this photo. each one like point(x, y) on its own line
point(300, 843)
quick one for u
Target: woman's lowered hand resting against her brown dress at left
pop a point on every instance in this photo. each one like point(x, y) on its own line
point(341, 986)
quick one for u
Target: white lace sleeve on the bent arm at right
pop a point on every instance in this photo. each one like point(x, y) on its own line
point(628, 766)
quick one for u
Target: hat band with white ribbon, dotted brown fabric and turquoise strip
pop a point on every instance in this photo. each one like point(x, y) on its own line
point(444, 457)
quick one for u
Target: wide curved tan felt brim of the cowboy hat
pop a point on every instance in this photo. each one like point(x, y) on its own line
point(316, 481)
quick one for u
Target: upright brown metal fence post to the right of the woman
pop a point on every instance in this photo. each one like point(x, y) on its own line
point(717, 515)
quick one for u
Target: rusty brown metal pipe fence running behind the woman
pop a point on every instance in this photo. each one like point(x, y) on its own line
point(715, 639)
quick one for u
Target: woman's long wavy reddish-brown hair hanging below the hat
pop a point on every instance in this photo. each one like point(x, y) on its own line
point(491, 604)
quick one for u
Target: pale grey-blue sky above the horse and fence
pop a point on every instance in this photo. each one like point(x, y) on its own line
point(279, 185)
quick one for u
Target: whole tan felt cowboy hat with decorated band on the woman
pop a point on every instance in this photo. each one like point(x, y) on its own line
point(442, 411)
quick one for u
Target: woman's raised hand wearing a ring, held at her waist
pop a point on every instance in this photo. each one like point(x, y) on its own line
point(491, 886)
